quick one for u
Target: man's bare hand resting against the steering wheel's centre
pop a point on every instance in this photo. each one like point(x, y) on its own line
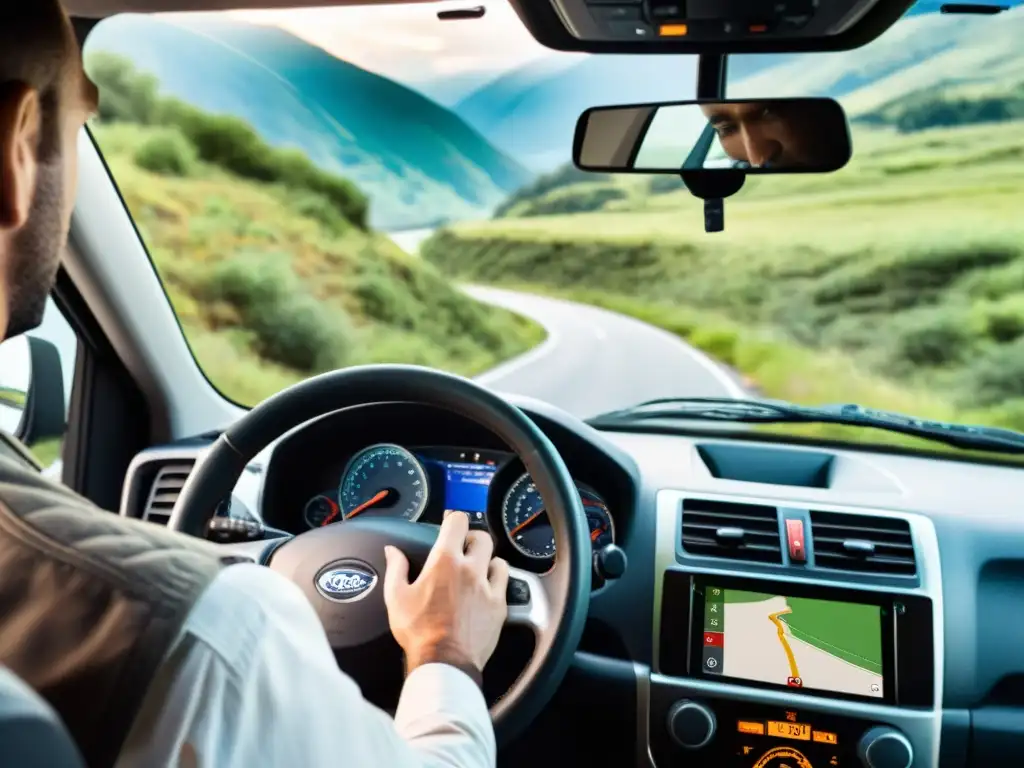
point(454, 612)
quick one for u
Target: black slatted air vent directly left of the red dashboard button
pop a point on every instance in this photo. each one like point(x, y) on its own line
point(743, 532)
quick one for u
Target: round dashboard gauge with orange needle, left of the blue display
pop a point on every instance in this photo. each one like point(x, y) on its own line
point(383, 480)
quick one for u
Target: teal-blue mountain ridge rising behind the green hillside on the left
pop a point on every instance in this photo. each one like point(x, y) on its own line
point(418, 161)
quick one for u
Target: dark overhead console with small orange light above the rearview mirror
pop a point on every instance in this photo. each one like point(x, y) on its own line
point(708, 26)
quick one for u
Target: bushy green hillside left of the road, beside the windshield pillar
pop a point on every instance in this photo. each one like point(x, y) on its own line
point(272, 286)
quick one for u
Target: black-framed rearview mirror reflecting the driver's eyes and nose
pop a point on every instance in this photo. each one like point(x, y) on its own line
point(781, 136)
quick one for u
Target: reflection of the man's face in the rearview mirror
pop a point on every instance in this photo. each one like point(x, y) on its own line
point(780, 135)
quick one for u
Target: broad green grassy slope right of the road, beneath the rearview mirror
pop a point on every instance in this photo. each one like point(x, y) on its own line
point(809, 288)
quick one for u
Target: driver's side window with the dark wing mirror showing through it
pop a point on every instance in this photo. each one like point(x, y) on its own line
point(50, 387)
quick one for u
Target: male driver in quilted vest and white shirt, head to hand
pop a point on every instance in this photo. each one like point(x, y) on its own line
point(153, 652)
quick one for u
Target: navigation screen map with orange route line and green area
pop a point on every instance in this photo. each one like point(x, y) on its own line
point(794, 642)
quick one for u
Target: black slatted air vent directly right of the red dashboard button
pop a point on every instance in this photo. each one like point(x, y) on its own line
point(879, 545)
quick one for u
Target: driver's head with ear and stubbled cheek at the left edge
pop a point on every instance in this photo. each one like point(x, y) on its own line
point(46, 99)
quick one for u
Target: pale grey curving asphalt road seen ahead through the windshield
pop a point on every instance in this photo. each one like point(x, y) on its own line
point(595, 361)
